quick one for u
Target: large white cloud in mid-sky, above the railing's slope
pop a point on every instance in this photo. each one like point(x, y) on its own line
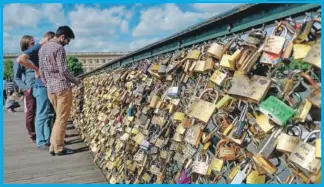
point(167, 17)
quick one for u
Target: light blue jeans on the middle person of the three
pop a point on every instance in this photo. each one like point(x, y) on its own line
point(43, 116)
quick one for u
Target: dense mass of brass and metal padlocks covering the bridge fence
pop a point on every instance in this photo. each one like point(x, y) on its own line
point(228, 111)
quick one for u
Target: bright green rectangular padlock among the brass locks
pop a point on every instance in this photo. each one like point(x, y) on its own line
point(277, 110)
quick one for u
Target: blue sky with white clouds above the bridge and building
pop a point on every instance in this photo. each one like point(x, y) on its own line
point(104, 27)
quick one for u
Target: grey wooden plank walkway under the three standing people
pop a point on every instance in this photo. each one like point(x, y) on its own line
point(24, 163)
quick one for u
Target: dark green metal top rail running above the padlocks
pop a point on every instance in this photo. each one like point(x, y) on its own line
point(242, 18)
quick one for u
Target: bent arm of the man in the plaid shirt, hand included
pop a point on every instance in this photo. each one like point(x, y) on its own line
point(62, 65)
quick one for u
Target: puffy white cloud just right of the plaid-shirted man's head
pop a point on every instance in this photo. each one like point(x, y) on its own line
point(88, 21)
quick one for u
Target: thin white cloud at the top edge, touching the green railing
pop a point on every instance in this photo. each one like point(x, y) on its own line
point(215, 8)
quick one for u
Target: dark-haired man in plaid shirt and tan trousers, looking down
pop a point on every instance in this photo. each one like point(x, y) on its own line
point(57, 78)
